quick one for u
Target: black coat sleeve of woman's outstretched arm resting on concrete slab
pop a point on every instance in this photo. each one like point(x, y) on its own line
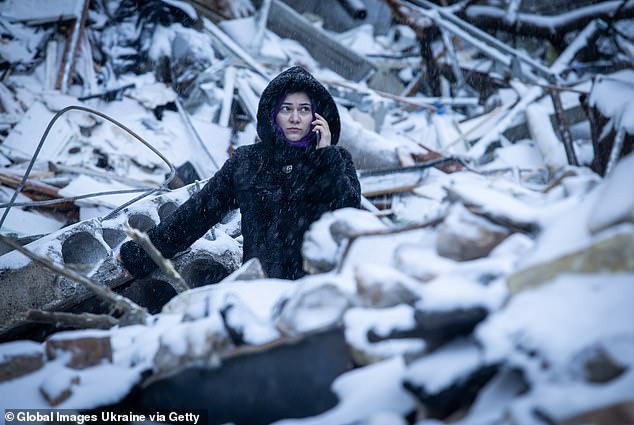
point(187, 224)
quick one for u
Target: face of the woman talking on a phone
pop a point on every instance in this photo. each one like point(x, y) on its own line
point(295, 116)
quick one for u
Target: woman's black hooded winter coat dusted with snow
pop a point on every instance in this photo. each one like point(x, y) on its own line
point(279, 189)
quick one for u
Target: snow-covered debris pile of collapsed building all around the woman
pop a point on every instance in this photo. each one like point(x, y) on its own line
point(486, 280)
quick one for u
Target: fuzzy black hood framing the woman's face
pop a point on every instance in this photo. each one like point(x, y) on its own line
point(293, 80)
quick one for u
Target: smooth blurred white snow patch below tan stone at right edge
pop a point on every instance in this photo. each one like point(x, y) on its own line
point(527, 322)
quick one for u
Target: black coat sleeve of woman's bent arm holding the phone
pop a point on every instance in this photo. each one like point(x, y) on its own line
point(336, 177)
